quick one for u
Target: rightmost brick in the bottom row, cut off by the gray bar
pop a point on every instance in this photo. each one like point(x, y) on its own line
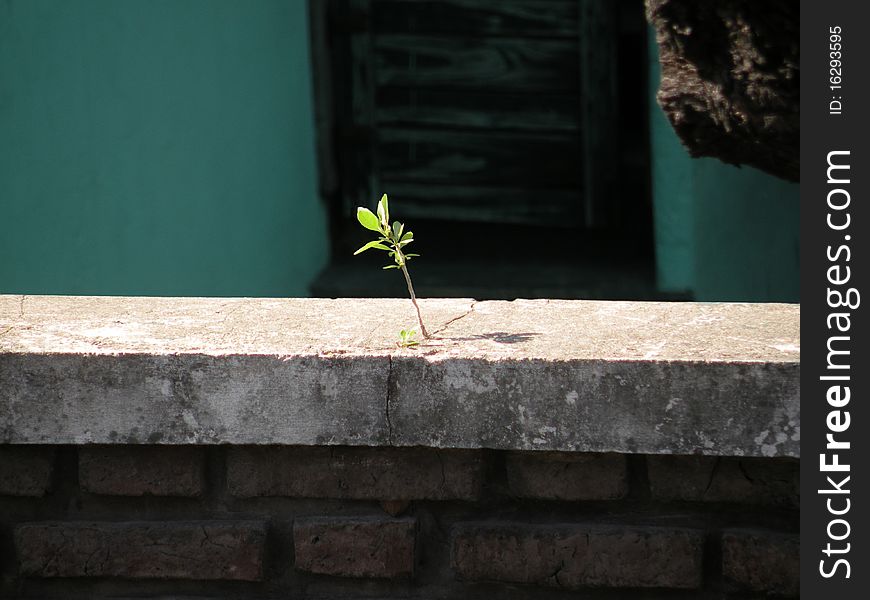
point(762, 562)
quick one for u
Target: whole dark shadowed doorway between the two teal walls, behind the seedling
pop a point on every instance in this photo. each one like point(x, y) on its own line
point(511, 135)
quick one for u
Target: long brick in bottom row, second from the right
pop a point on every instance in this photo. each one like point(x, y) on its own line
point(574, 556)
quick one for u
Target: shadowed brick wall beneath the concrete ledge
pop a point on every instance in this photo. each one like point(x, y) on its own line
point(340, 522)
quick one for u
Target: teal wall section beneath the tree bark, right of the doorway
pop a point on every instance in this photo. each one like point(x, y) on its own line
point(722, 233)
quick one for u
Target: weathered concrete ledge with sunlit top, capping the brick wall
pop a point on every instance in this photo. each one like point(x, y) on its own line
point(719, 379)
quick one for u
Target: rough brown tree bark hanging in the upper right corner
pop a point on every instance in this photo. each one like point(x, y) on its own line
point(731, 79)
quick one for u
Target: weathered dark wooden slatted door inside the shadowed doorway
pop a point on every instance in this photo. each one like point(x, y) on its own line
point(493, 110)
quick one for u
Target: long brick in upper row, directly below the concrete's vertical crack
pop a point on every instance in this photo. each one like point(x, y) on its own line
point(354, 473)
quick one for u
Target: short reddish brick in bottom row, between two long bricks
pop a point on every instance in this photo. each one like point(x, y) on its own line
point(356, 547)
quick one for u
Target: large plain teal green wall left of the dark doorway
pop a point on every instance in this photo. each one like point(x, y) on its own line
point(157, 147)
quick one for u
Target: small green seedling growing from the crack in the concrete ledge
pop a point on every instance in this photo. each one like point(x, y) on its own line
point(393, 239)
